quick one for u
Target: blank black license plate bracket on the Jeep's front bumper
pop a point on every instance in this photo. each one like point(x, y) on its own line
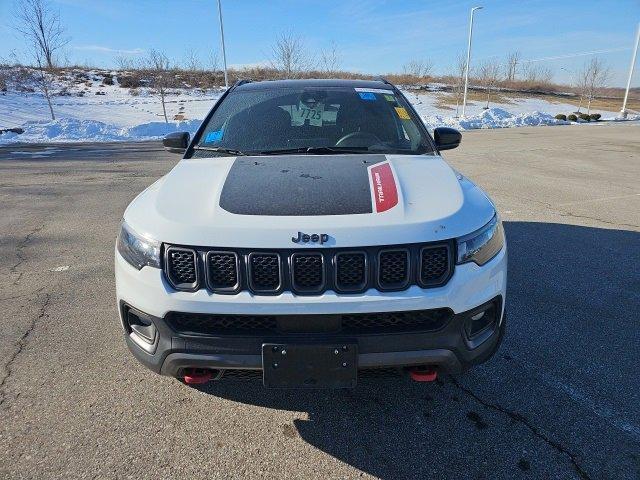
point(310, 365)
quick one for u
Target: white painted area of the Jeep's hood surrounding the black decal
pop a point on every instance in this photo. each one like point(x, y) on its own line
point(435, 203)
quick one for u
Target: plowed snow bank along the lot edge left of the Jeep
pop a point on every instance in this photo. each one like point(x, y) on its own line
point(74, 130)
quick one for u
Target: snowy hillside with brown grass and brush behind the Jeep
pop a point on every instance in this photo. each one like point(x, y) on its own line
point(104, 105)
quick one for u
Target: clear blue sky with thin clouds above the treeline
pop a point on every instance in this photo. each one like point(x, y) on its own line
point(372, 36)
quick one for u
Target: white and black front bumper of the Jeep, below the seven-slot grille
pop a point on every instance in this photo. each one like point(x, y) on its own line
point(448, 348)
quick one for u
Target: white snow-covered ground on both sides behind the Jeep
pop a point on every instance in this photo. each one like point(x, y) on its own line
point(112, 113)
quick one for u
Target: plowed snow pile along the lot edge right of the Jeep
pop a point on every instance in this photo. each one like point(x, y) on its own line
point(494, 118)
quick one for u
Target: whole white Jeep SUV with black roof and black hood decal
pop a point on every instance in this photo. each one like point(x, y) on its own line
point(312, 231)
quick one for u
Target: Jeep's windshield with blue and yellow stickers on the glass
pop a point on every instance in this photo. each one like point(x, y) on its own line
point(314, 120)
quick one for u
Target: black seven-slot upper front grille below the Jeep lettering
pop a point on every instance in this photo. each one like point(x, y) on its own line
point(309, 272)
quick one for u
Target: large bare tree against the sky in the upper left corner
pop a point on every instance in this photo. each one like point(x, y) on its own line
point(41, 28)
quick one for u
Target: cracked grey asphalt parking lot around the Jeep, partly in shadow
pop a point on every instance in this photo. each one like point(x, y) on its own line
point(561, 399)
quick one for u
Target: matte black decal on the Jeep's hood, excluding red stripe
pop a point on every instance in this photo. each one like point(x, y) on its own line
point(299, 185)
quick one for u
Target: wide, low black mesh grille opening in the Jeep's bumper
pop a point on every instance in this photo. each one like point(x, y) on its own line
point(351, 323)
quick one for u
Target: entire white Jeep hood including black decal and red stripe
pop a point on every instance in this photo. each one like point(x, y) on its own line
point(267, 201)
